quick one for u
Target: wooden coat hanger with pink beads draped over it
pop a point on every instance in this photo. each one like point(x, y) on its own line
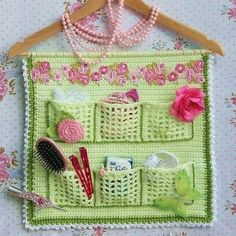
point(137, 5)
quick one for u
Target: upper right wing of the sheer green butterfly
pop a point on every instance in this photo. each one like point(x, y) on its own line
point(183, 186)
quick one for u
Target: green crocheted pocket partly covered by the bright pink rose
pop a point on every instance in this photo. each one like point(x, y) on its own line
point(159, 125)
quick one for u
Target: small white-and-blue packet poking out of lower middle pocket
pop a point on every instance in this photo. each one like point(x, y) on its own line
point(119, 163)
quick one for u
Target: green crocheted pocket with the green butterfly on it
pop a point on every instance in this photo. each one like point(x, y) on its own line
point(158, 182)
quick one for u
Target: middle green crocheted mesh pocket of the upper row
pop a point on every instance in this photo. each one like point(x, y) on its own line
point(118, 122)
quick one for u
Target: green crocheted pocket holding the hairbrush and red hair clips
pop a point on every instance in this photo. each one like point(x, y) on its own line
point(65, 190)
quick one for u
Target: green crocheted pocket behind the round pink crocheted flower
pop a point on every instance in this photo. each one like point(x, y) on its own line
point(80, 111)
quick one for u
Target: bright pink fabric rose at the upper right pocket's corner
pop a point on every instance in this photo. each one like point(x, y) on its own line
point(188, 104)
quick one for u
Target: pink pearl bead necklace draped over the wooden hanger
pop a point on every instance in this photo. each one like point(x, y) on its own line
point(138, 33)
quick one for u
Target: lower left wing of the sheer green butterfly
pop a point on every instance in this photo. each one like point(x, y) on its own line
point(174, 204)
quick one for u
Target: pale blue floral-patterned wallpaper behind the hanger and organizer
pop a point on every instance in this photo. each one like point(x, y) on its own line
point(217, 19)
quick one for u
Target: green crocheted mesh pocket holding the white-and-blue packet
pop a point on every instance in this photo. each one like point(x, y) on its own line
point(118, 188)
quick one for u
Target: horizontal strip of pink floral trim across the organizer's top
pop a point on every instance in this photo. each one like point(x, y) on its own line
point(120, 73)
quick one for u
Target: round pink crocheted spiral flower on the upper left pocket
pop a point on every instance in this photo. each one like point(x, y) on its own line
point(70, 131)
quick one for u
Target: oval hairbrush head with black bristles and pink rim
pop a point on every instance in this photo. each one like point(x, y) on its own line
point(50, 156)
